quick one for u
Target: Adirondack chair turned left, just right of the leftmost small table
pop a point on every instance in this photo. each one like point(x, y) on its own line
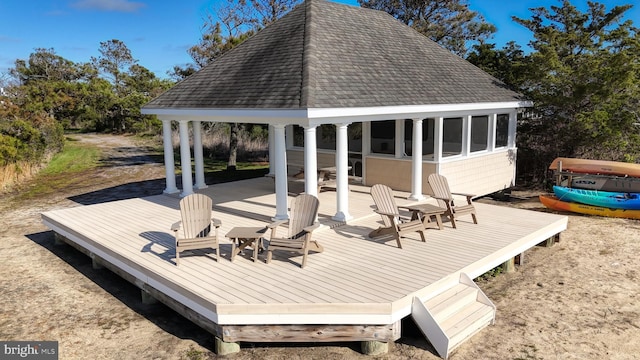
point(304, 211)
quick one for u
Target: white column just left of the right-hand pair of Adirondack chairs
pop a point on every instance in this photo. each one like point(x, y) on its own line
point(342, 174)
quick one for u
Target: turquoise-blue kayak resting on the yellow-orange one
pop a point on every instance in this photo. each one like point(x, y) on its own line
point(612, 200)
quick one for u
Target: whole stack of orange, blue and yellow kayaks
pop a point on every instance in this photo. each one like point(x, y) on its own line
point(605, 188)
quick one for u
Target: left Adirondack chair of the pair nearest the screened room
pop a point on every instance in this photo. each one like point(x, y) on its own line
point(394, 223)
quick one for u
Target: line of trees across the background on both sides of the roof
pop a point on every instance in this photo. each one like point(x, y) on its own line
point(581, 70)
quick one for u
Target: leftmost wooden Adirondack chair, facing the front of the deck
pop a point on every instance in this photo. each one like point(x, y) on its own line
point(197, 226)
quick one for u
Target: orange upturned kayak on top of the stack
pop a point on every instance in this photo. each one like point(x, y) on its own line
point(588, 166)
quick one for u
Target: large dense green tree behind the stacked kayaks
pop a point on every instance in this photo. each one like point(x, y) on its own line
point(583, 76)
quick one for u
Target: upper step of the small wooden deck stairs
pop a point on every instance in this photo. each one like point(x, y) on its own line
point(451, 301)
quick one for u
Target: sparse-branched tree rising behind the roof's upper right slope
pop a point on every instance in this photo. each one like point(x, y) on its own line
point(450, 23)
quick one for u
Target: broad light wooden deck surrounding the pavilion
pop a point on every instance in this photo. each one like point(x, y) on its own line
point(355, 281)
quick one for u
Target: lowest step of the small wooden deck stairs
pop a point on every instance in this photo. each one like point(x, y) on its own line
point(467, 322)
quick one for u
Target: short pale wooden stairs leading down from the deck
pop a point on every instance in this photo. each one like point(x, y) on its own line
point(454, 315)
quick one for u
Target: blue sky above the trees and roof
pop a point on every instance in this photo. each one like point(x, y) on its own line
point(158, 32)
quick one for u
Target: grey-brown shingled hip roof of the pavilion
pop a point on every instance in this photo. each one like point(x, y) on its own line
point(328, 55)
